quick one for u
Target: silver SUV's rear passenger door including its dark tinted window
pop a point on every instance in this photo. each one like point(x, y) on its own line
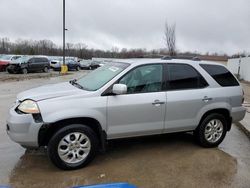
point(187, 94)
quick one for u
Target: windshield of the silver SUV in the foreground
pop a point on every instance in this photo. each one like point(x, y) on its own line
point(99, 77)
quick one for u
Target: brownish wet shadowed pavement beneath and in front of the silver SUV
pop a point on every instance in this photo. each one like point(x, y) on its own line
point(171, 160)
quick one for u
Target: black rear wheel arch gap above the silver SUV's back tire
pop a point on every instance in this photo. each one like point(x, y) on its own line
point(221, 111)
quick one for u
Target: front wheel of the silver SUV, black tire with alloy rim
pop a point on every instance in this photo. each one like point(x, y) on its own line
point(73, 152)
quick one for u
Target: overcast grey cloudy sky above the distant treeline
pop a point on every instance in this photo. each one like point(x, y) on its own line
point(201, 25)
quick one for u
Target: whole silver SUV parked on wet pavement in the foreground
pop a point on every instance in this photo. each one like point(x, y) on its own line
point(127, 98)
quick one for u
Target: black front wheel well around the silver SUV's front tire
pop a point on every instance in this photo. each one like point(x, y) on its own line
point(48, 130)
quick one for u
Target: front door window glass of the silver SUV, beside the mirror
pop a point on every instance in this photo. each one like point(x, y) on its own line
point(143, 79)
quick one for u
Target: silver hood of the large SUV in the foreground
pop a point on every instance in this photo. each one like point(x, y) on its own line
point(50, 91)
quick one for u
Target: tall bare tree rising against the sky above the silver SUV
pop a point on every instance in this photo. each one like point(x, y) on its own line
point(169, 37)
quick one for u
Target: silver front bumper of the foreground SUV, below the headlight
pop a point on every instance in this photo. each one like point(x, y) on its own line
point(23, 129)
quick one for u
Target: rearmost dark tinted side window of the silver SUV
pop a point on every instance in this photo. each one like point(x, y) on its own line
point(221, 75)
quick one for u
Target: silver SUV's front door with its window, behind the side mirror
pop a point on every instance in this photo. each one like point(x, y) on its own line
point(141, 110)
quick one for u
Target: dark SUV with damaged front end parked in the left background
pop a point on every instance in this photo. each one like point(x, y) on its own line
point(28, 64)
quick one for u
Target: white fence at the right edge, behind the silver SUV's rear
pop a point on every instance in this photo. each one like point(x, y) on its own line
point(240, 65)
